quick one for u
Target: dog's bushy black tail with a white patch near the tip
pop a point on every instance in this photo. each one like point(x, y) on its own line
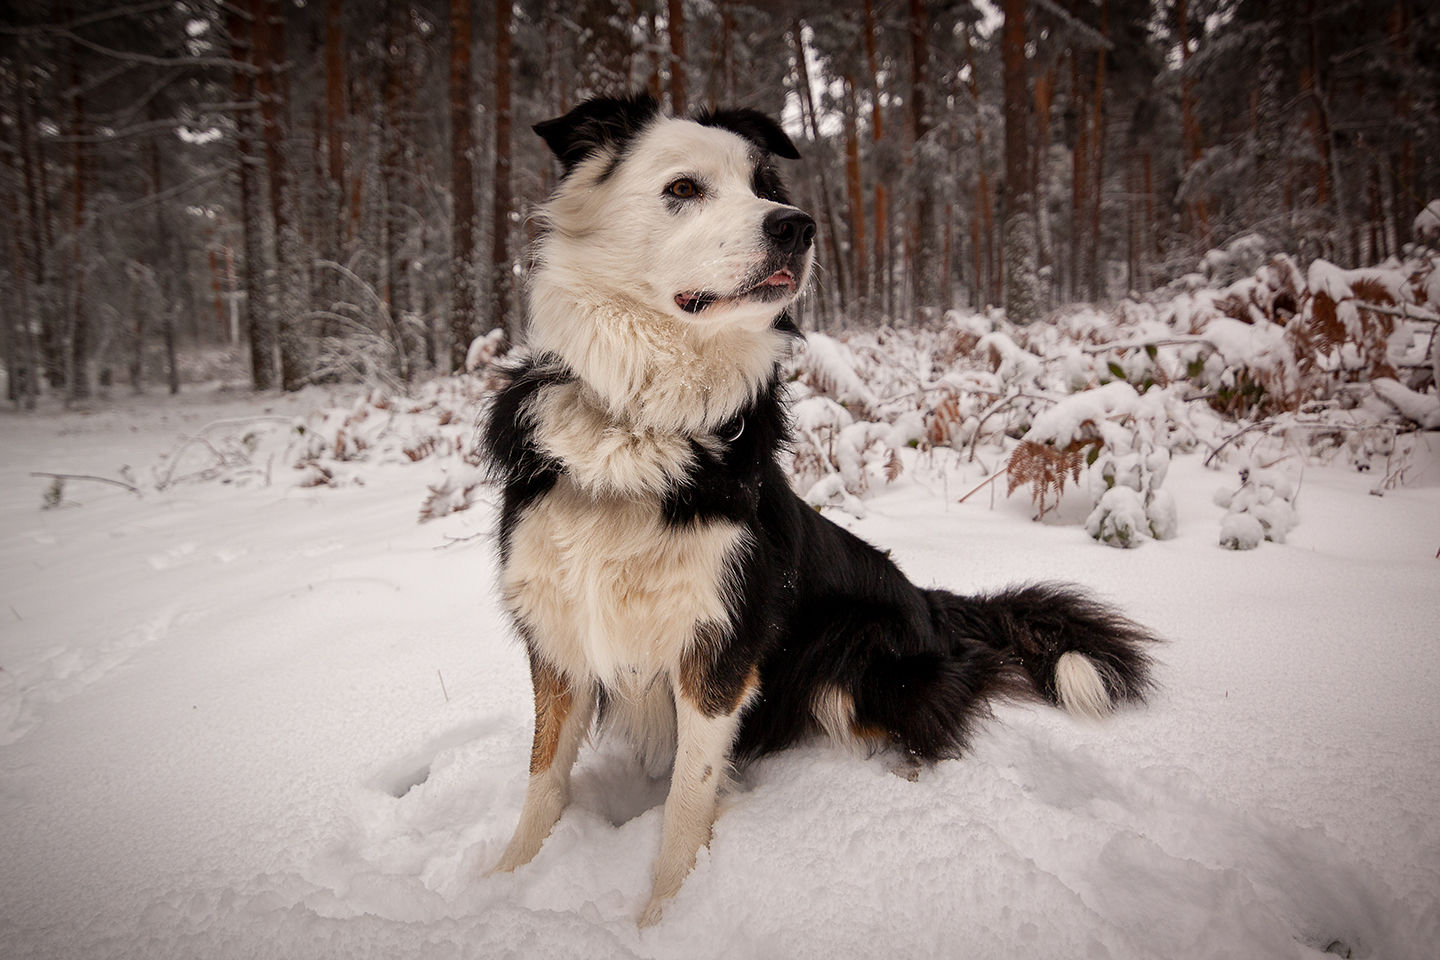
point(1076, 653)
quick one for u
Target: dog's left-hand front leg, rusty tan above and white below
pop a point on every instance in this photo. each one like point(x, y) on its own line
point(564, 712)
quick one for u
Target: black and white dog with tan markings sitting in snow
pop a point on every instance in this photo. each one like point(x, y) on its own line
point(665, 578)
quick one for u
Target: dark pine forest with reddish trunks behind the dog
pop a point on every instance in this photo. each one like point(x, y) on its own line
point(341, 192)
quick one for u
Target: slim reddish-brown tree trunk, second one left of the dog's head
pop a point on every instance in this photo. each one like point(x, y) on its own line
point(463, 191)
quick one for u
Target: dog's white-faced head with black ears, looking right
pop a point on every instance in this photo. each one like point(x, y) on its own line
point(686, 218)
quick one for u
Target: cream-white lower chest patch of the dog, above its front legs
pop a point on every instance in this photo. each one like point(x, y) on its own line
point(613, 592)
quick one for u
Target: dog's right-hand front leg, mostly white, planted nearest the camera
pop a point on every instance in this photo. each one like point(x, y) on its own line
point(702, 762)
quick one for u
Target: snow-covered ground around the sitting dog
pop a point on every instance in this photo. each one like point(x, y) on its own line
point(246, 722)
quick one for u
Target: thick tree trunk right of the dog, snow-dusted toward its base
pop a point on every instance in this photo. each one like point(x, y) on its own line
point(1022, 281)
